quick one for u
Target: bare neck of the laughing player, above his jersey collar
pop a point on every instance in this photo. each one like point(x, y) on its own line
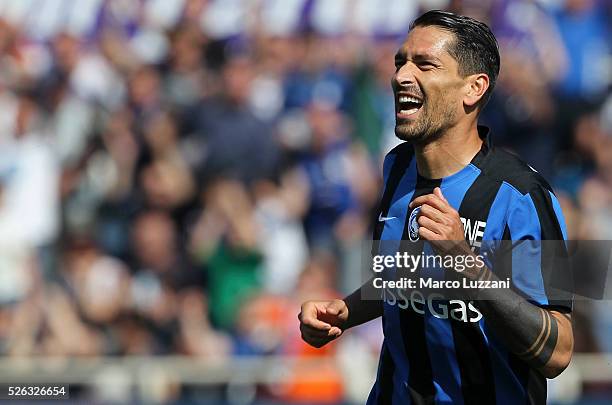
point(449, 153)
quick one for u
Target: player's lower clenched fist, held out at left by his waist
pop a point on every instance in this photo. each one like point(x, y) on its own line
point(322, 321)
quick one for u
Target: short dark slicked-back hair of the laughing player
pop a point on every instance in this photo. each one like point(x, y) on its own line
point(475, 48)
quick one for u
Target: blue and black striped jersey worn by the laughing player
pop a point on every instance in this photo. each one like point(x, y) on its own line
point(429, 356)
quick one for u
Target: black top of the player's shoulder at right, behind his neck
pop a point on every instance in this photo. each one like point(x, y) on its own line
point(504, 166)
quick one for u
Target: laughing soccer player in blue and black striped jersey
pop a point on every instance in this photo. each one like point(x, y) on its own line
point(445, 182)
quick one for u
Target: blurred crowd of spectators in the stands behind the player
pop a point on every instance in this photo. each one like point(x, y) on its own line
point(176, 177)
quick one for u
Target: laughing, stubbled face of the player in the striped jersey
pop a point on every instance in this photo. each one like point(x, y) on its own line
point(426, 85)
